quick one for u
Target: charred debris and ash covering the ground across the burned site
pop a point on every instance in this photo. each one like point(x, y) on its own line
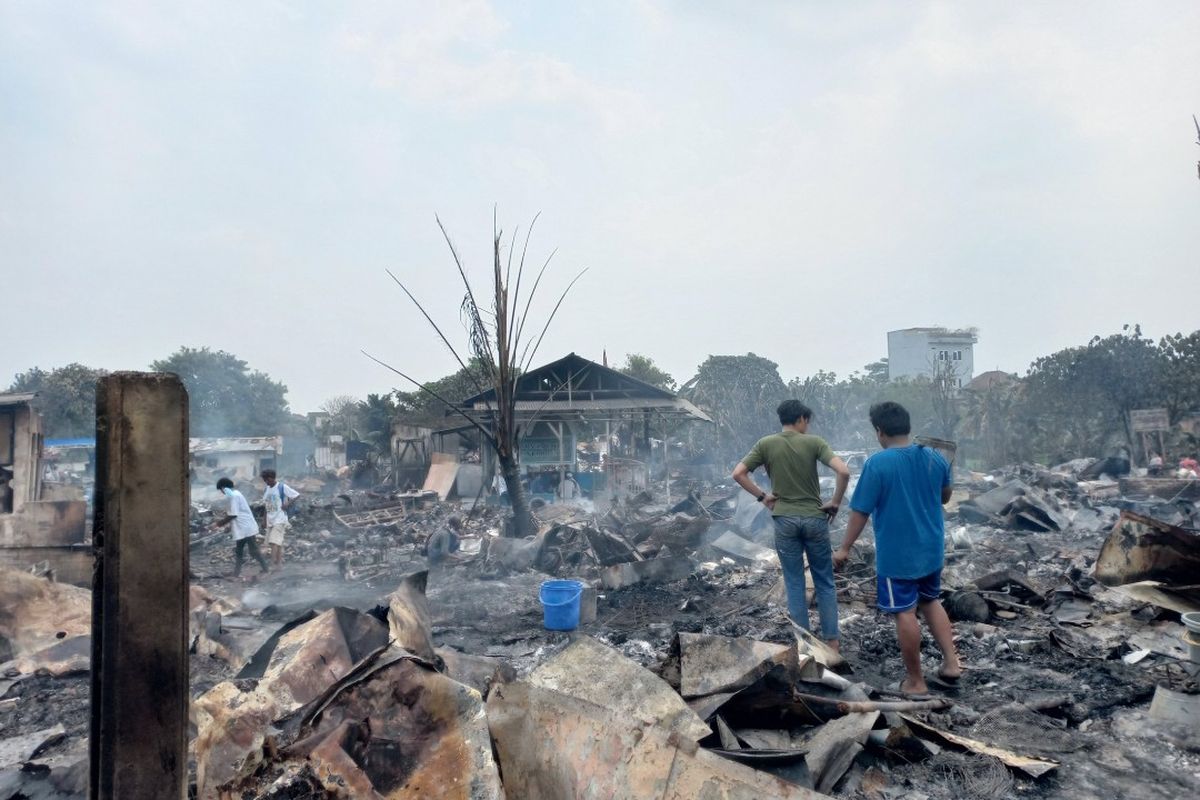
point(400, 653)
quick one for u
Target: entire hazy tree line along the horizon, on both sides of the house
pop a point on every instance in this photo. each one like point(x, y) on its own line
point(1072, 404)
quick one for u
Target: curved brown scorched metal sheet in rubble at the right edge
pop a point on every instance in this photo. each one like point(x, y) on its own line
point(1143, 549)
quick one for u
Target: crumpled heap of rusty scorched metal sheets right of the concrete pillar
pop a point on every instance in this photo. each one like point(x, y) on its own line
point(352, 706)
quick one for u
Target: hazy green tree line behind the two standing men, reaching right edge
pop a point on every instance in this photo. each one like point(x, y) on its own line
point(1072, 404)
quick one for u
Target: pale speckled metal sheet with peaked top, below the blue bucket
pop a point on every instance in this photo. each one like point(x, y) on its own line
point(595, 672)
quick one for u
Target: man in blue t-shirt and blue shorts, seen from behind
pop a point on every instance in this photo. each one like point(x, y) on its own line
point(904, 489)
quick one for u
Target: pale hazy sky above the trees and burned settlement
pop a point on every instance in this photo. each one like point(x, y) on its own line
point(794, 179)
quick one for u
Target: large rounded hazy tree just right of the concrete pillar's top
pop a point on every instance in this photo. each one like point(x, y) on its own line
point(226, 398)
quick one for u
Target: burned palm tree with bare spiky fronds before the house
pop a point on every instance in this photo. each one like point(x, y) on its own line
point(503, 348)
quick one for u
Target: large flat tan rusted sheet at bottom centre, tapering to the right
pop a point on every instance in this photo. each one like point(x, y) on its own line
point(554, 747)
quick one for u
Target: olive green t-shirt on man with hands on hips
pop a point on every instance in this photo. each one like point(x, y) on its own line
point(791, 461)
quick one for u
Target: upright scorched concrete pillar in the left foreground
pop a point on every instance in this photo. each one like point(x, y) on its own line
point(140, 673)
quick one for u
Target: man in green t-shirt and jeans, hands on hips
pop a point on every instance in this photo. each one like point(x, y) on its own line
point(802, 520)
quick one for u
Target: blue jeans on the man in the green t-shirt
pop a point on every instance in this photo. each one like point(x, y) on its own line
point(795, 538)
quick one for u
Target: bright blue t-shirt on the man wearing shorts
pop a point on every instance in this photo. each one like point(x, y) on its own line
point(902, 489)
